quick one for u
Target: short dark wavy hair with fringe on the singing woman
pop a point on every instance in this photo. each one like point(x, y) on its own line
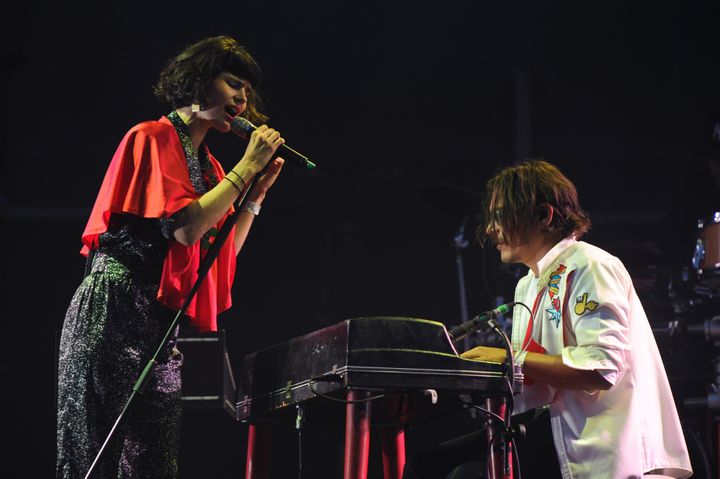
point(187, 78)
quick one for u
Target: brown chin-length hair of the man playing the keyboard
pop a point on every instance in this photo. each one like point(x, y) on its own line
point(517, 196)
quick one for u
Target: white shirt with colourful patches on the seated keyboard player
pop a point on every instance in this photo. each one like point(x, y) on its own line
point(586, 309)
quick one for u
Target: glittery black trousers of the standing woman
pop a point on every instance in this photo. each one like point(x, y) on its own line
point(112, 328)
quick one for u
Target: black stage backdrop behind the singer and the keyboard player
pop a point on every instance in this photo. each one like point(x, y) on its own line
point(407, 110)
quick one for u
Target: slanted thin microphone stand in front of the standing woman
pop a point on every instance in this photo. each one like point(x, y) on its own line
point(203, 269)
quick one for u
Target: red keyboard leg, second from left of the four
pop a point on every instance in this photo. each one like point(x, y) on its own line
point(357, 435)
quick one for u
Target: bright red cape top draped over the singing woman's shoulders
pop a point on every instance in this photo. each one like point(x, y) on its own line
point(148, 177)
